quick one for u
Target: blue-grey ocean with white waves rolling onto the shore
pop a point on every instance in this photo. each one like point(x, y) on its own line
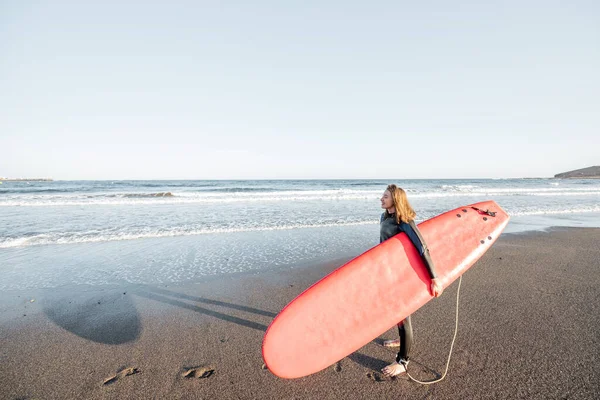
point(62, 233)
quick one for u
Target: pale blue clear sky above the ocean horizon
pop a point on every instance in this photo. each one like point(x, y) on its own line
point(298, 89)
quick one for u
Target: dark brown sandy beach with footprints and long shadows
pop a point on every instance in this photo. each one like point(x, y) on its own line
point(528, 328)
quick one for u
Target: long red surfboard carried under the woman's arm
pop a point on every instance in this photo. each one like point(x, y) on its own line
point(353, 305)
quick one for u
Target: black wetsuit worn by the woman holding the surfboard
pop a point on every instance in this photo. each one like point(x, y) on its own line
point(388, 228)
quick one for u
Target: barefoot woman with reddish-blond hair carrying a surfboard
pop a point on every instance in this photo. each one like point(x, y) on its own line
point(399, 217)
